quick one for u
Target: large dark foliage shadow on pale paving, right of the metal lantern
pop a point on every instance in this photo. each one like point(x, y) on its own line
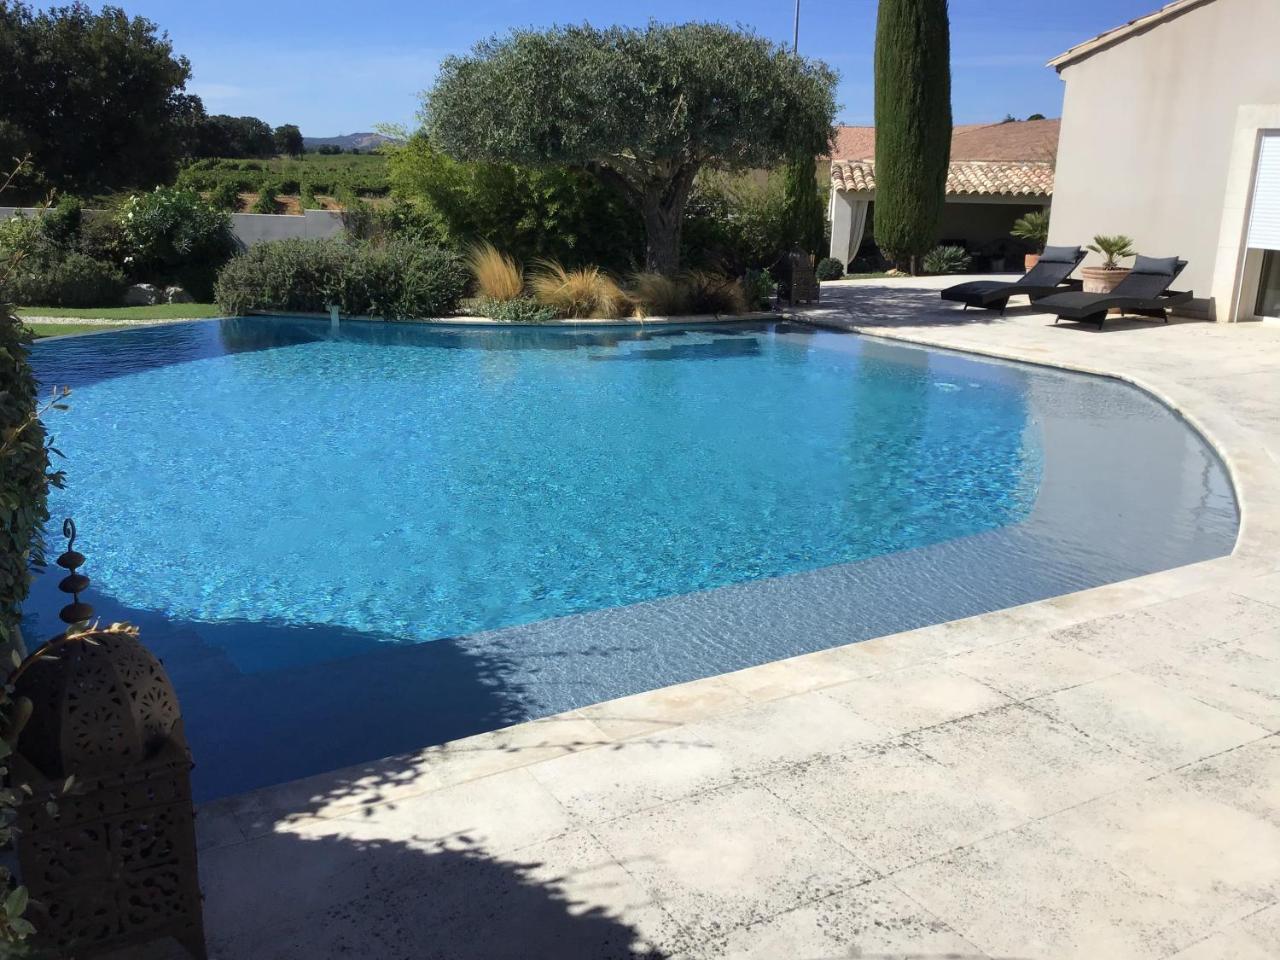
point(348, 895)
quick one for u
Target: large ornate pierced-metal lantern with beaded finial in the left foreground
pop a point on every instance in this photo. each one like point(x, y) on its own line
point(113, 860)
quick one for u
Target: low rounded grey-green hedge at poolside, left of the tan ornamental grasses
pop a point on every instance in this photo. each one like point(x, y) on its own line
point(397, 280)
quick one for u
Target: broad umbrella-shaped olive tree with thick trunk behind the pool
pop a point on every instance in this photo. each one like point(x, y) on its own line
point(643, 111)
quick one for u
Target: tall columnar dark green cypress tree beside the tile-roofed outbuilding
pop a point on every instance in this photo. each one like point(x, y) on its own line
point(913, 126)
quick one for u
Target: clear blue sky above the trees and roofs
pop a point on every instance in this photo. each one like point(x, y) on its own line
point(344, 66)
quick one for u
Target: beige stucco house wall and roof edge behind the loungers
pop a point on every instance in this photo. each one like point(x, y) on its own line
point(1172, 135)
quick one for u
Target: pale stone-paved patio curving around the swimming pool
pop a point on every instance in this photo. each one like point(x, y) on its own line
point(1092, 776)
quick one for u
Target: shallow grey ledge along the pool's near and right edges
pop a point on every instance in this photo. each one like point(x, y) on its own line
point(1121, 496)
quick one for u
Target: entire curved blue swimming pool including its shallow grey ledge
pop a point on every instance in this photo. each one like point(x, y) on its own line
point(348, 545)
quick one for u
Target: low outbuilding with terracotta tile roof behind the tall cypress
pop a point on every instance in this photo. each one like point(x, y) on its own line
point(998, 173)
